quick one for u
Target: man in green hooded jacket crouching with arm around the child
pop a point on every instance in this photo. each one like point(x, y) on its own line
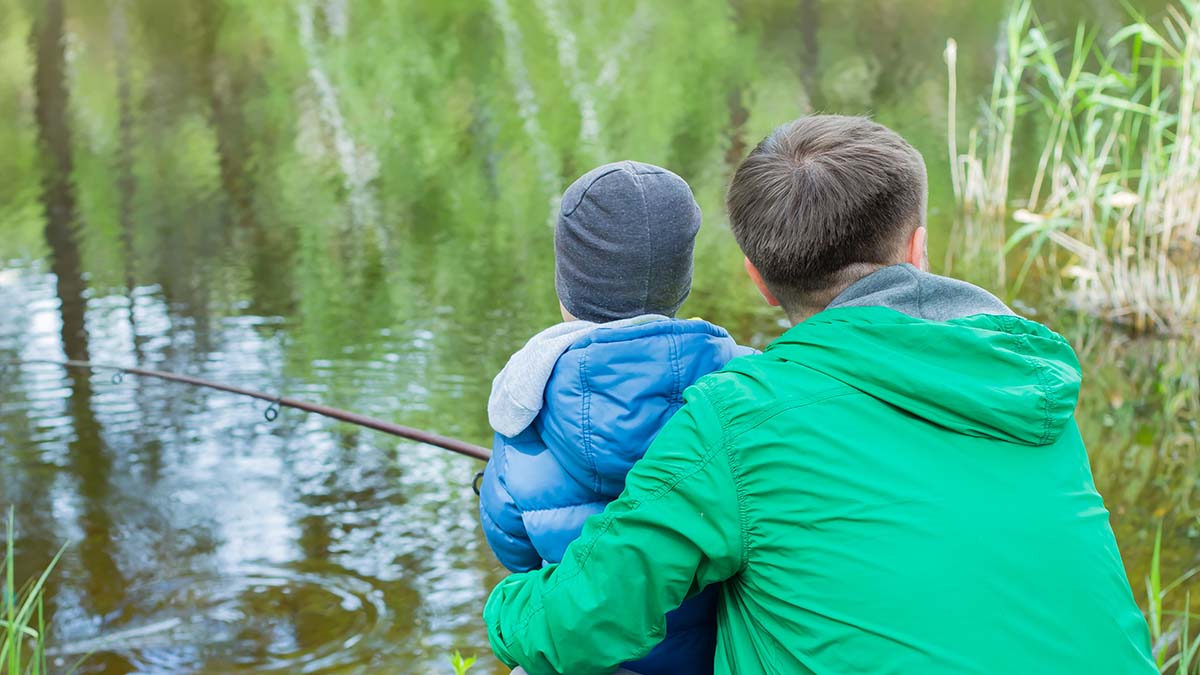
point(897, 485)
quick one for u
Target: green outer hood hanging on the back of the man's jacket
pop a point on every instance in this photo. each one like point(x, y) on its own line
point(985, 375)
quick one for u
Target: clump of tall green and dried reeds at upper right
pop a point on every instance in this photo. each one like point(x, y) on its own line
point(1109, 217)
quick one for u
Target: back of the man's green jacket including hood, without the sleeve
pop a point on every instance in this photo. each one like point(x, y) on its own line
point(917, 500)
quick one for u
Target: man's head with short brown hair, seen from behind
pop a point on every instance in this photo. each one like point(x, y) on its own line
point(823, 199)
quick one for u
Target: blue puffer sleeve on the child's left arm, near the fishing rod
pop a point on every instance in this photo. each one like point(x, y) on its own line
point(501, 516)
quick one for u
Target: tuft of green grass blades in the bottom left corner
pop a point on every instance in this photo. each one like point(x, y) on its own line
point(22, 618)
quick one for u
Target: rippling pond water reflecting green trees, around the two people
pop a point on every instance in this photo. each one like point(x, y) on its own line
point(349, 202)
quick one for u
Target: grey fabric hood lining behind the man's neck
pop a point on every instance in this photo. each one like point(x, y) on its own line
point(920, 295)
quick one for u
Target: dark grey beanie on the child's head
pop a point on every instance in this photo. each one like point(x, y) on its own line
point(623, 243)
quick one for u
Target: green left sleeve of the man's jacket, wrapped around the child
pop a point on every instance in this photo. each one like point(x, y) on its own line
point(677, 528)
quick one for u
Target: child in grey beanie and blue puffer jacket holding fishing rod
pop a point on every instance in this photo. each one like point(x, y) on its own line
point(583, 401)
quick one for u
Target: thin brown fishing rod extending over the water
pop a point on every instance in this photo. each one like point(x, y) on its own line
point(277, 403)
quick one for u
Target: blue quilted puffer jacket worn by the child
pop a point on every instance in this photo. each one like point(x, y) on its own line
point(607, 399)
